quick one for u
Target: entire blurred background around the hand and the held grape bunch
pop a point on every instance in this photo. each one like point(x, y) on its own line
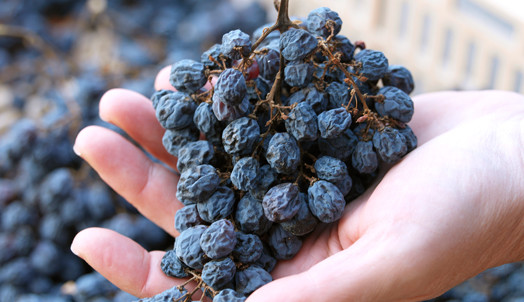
point(58, 57)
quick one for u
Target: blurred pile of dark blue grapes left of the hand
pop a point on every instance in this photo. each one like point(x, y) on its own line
point(57, 58)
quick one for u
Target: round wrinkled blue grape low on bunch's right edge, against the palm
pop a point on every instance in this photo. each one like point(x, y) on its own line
point(390, 145)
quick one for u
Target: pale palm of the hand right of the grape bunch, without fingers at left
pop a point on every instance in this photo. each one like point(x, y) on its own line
point(427, 217)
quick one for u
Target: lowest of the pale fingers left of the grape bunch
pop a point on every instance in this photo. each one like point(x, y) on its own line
point(123, 262)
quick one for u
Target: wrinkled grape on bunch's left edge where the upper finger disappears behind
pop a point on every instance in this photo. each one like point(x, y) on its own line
point(194, 154)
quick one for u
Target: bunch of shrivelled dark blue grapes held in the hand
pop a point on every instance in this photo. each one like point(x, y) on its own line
point(297, 121)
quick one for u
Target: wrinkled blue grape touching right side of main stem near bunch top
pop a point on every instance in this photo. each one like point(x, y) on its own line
point(296, 44)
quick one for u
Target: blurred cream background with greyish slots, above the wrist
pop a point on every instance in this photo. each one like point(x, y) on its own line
point(447, 44)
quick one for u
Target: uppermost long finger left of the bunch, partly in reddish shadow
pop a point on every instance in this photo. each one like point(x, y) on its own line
point(135, 114)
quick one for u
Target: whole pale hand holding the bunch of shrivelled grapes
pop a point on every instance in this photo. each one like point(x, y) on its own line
point(452, 208)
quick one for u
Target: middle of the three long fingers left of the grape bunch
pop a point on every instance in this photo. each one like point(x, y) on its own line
point(149, 186)
